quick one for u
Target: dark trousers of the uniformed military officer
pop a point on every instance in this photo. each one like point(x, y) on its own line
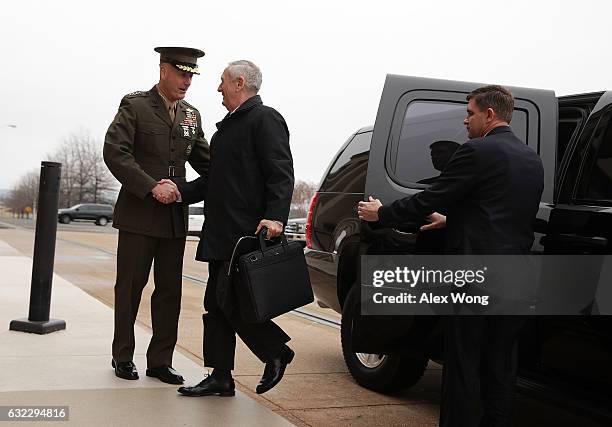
point(135, 254)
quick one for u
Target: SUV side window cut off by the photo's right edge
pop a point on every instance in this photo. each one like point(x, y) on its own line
point(596, 177)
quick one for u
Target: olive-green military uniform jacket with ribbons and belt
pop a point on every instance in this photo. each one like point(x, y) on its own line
point(142, 146)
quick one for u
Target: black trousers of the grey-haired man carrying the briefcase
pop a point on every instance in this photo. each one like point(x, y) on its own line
point(223, 321)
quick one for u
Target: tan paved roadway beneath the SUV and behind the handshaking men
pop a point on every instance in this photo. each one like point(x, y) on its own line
point(317, 389)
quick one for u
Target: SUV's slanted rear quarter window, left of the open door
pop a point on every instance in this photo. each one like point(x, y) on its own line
point(348, 173)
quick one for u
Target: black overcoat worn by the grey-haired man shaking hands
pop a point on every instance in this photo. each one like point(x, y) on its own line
point(250, 178)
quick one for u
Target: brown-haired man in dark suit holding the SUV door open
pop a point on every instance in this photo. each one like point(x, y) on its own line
point(490, 192)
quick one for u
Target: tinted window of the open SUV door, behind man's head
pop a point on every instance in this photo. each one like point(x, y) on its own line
point(431, 132)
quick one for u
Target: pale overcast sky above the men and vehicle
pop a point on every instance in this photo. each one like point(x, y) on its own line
point(67, 64)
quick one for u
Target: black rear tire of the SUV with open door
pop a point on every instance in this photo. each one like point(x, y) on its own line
point(383, 373)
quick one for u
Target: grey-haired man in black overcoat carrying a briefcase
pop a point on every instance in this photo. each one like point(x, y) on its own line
point(249, 187)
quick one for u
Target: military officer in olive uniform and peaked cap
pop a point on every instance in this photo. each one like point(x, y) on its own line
point(152, 136)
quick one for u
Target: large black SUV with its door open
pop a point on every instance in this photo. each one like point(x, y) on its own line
point(394, 159)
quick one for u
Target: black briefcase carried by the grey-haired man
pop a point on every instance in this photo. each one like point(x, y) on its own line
point(270, 280)
